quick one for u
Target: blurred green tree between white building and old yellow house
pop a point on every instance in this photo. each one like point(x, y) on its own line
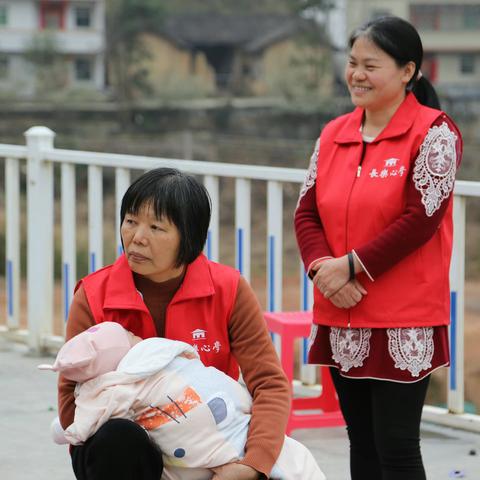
point(127, 20)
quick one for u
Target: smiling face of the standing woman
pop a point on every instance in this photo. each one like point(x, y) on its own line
point(373, 78)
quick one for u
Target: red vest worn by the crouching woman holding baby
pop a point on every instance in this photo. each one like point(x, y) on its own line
point(198, 313)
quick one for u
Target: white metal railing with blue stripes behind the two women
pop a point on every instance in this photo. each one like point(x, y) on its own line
point(41, 156)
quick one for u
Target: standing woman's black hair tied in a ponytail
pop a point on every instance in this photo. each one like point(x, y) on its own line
point(399, 39)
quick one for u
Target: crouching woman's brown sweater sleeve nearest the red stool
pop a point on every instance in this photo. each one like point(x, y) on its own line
point(253, 348)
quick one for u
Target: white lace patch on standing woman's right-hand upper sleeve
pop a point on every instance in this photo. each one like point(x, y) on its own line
point(435, 166)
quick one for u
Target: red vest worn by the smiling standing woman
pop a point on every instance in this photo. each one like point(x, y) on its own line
point(354, 210)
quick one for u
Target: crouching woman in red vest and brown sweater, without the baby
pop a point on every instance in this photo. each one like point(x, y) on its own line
point(164, 286)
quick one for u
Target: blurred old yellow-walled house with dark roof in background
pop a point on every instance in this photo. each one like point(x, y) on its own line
point(240, 55)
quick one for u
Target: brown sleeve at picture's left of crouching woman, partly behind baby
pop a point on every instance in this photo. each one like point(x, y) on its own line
point(79, 319)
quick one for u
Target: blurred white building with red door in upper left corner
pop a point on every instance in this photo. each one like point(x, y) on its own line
point(51, 43)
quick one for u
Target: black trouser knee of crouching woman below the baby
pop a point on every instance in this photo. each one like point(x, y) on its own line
point(120, 450)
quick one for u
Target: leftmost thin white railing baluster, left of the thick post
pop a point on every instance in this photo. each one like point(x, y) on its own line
point(12, 264)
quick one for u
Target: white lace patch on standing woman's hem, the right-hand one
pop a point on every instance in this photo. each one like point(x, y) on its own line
point(411, 348)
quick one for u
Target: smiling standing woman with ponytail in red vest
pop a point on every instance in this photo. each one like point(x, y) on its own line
point(374, 228)
